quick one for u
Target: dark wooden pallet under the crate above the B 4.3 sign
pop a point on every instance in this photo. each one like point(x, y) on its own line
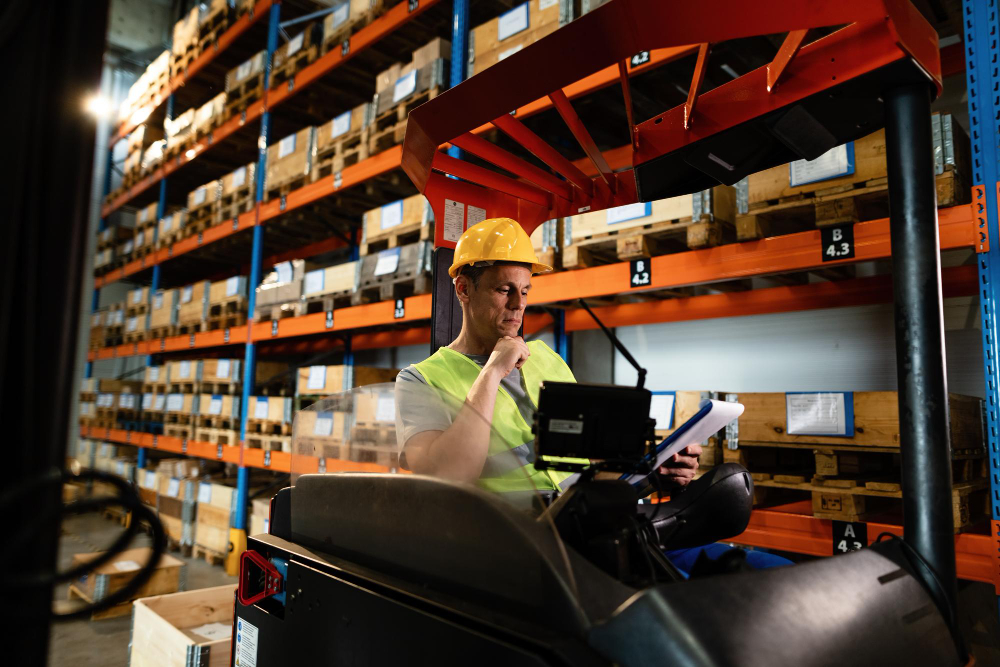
point(845, 204)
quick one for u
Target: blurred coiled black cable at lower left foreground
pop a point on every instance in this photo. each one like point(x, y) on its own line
point(12, 578)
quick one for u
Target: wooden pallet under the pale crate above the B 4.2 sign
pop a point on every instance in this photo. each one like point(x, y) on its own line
point(658, 238)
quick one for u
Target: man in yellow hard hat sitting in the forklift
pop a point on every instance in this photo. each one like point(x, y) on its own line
point(488, 440)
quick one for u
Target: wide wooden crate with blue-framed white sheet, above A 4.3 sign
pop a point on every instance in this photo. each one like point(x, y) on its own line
point(876, 421)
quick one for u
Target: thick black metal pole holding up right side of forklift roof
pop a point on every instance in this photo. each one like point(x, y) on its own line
point(920, 360)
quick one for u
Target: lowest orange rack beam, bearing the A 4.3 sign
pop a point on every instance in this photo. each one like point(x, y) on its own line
point(792, 528)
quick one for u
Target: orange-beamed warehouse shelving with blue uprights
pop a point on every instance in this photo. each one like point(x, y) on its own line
point(789, 528)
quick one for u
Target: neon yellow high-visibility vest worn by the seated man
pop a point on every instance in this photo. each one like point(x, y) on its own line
point(454, 373)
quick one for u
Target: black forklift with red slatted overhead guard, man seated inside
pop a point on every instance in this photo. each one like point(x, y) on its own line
point(386, 567)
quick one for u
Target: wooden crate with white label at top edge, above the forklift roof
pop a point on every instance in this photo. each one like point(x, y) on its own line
point(507, 34)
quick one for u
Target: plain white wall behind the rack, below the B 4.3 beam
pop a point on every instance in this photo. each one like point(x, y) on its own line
point(839, 349)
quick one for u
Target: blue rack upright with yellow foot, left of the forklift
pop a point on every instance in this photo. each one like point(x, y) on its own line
point(237, 533)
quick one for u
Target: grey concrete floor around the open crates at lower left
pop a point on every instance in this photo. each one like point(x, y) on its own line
point(86, 643)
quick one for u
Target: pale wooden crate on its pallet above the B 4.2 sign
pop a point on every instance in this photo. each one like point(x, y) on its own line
point(646, 229)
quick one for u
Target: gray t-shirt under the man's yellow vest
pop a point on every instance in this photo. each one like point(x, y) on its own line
point(420, 409)
